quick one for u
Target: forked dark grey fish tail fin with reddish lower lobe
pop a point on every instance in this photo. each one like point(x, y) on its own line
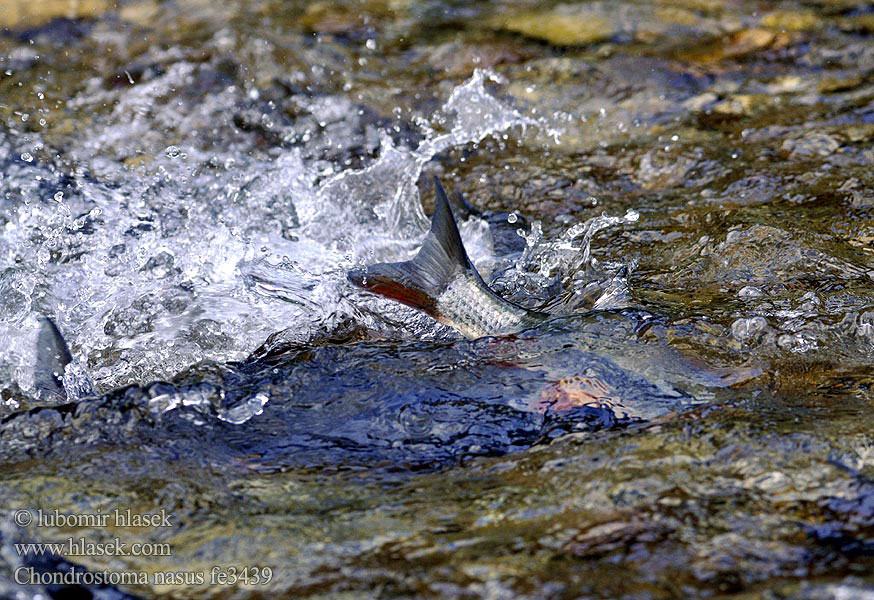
point(418, 282)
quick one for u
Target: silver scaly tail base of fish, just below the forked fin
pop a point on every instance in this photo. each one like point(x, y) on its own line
point(472, 310)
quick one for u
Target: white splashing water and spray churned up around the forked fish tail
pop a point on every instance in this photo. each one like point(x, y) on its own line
point(202, 255)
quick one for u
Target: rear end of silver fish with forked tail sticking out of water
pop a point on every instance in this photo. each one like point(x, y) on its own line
point(443, 283)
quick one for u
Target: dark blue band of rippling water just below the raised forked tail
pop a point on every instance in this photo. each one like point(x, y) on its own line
point(399, 405)
